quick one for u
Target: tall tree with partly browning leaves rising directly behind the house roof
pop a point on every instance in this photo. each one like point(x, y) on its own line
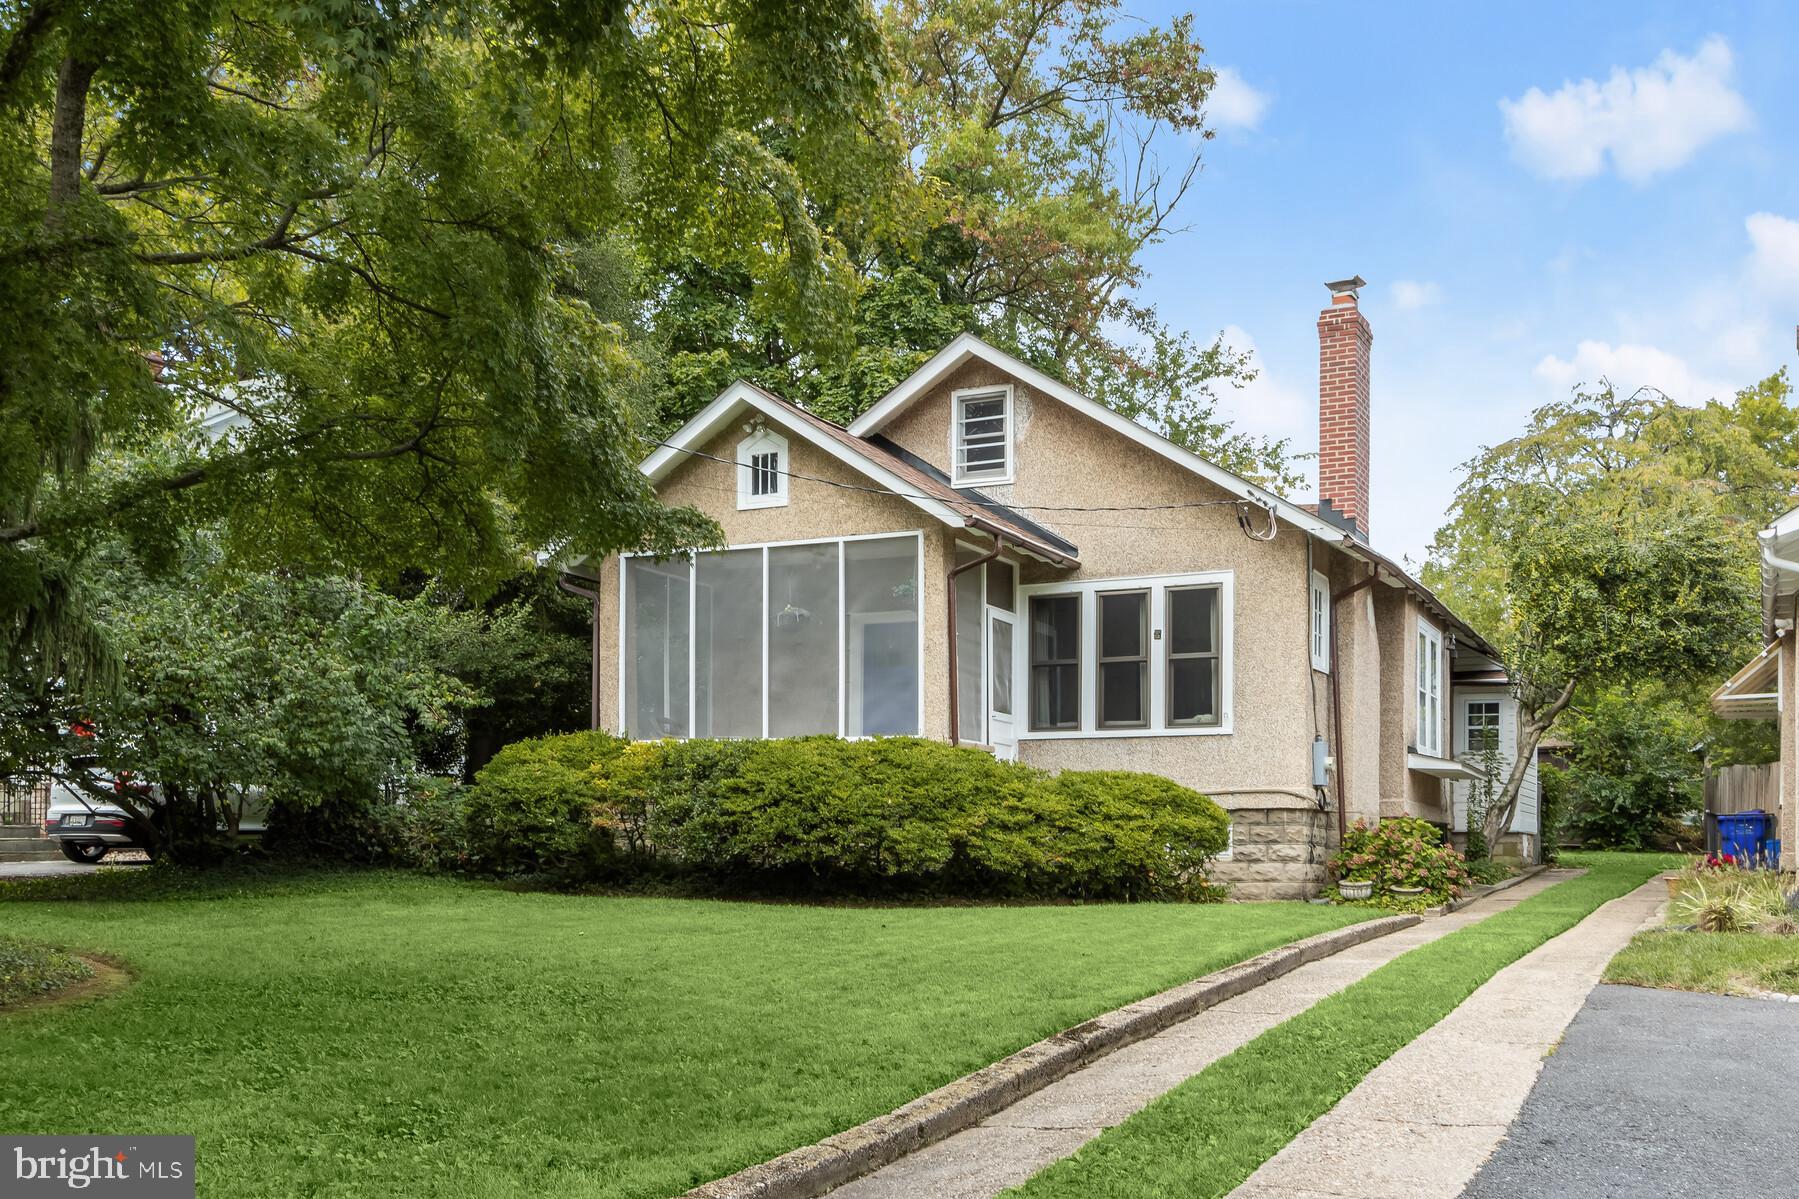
point(1050, 143)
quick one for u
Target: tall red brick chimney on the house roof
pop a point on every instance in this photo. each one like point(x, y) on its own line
point(1345, 341)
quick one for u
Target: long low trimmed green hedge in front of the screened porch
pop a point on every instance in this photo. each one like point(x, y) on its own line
point(825, 815)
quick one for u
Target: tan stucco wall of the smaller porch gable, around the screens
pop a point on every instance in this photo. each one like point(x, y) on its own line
point(814, 510)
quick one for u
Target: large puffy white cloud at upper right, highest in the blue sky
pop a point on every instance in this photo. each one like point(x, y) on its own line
point(1649, 120)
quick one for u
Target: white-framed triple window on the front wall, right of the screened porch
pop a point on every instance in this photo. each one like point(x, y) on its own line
point(1129, 658)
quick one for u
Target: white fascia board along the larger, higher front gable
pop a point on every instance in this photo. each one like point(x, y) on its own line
point(969, 347)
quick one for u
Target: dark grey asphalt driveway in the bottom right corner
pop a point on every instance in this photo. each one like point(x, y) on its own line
point(1658, 1094)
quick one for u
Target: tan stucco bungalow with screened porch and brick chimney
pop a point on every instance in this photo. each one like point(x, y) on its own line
point(992, 559)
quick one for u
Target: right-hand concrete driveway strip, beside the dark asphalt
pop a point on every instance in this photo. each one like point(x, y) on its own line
point(1422, 1122)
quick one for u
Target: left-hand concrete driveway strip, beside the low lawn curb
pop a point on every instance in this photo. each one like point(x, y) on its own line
point(1052, 1124)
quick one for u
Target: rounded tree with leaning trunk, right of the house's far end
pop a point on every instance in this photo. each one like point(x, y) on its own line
point(1611, 548)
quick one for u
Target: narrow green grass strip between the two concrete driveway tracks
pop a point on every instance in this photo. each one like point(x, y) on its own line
point(1213, 1131)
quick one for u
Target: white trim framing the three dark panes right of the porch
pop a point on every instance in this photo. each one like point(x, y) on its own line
point(1158, 586)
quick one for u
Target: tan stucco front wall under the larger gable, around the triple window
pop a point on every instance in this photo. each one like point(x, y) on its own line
point(1070, 460)
